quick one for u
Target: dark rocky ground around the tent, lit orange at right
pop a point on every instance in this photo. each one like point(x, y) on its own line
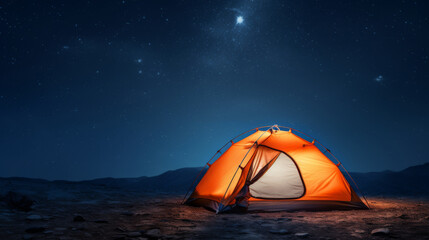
point(97, 213)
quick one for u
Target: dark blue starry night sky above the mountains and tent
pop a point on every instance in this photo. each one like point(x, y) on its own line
point(94, 89)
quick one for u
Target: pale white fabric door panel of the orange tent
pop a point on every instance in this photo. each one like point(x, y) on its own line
point(282, 180)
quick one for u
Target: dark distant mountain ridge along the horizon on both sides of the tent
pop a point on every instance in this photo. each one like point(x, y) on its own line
point(411, 181)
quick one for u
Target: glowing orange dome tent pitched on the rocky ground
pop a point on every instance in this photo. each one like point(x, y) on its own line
point(273, 170)
